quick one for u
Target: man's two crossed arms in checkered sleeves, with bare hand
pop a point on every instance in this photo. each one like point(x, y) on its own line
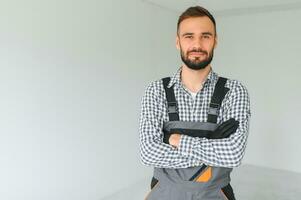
point(185, 151)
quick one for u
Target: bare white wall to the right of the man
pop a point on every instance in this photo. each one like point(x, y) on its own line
point(263, 51)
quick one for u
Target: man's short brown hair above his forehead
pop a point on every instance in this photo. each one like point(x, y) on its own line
point(196, 11)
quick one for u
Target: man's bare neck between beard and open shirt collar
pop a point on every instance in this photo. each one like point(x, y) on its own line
point(193, 79)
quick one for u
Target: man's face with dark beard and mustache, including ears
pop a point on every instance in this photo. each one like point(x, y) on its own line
point(196, 40)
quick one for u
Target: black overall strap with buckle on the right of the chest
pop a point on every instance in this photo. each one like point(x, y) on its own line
point(216, 100)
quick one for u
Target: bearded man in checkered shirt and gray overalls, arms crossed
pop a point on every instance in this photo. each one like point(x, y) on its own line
point(194, 126)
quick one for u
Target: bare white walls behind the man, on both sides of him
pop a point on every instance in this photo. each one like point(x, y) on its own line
point(72, 74)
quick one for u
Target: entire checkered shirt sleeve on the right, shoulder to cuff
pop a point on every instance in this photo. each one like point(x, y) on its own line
point(226, 152)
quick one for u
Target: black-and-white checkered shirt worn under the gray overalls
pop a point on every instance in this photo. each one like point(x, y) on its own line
point(193, 151)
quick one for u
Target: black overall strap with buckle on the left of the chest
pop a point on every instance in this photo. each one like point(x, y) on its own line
point(172, 105)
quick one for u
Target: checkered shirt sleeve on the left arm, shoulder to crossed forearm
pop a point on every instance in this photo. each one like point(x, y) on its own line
point(153, 151)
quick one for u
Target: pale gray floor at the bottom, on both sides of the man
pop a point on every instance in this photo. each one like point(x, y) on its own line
point(249, 183)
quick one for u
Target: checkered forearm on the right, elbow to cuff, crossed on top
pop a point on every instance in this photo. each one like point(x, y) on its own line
point(226, 152)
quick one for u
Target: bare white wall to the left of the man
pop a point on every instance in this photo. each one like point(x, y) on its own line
point(72, 74)
